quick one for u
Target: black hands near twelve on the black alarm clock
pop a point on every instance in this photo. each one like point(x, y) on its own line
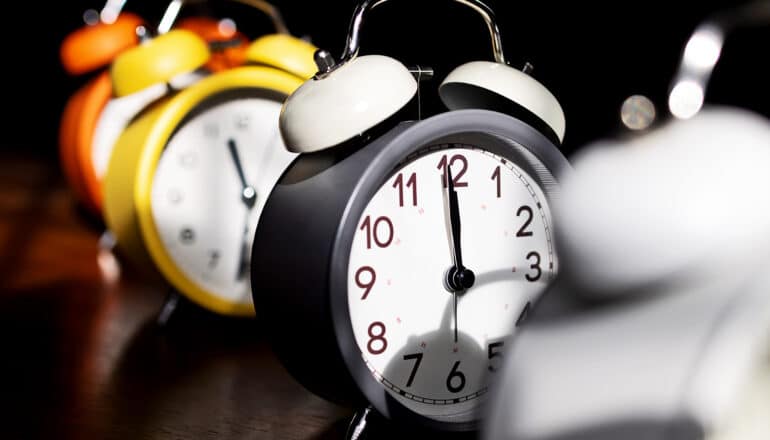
point(458, 278)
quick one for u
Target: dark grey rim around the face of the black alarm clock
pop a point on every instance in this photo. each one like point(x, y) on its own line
point(501, 134)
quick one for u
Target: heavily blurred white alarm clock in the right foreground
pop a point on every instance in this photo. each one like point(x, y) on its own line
point(658, 325)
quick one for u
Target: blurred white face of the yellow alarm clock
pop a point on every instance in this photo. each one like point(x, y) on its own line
point(204, 211)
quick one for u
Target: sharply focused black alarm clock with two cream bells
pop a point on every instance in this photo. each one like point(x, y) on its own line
point(394, 257)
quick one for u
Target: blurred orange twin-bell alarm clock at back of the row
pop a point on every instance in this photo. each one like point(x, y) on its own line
point(95, 115)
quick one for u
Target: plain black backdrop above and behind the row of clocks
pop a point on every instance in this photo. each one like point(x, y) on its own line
point(590, 55)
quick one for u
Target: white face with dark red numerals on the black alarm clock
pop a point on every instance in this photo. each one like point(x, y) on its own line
point(431, 356)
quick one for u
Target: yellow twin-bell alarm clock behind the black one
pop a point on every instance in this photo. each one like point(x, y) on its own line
point(189, 176)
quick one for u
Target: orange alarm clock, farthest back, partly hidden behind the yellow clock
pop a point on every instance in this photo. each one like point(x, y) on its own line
point(95, 46)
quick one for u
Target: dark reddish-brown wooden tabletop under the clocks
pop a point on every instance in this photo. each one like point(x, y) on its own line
point(83, 356)
